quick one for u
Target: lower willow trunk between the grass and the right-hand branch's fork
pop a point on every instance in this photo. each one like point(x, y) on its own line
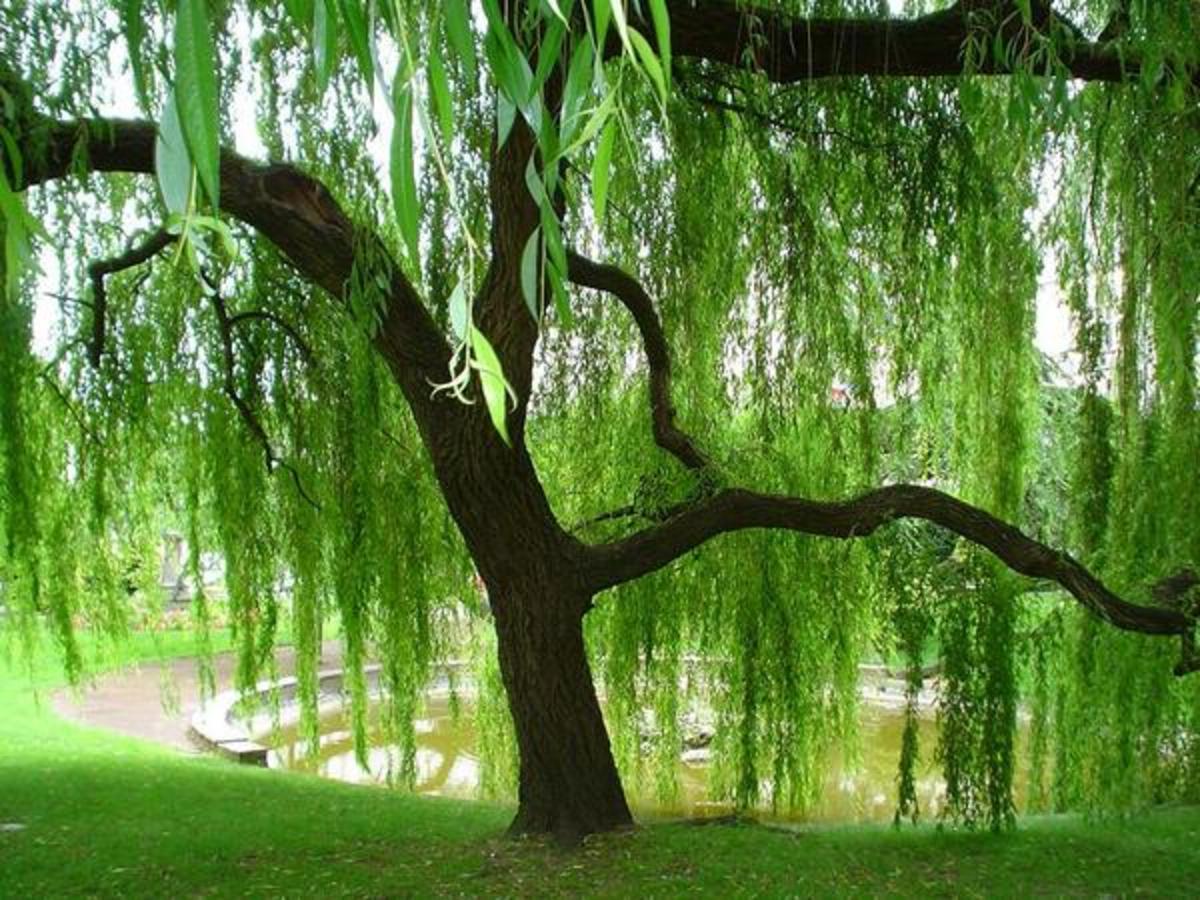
point(569, 784)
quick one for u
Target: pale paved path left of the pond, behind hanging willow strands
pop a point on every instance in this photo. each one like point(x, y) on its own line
point(155, 701)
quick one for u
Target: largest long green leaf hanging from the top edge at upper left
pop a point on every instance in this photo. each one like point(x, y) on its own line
point(196, 93)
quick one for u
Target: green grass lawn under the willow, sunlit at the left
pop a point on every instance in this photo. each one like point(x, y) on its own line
point(109, 817)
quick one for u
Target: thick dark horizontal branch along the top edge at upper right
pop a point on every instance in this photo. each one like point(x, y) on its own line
point(789, 50)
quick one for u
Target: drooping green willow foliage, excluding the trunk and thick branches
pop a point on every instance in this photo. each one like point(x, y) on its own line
point(848, 275)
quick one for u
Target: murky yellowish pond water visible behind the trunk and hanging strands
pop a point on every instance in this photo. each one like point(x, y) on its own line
point(447, 765)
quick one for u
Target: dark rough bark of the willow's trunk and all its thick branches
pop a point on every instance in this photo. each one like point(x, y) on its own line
point(541, 579)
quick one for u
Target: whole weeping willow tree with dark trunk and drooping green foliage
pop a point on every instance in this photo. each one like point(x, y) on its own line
point(823, 225)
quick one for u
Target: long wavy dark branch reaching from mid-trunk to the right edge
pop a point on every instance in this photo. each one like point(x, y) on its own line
point(733, 511)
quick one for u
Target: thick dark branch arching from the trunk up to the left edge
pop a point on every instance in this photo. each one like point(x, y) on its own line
point(293, 211)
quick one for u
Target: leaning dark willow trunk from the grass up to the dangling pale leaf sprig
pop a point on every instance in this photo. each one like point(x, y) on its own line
point(568, 781)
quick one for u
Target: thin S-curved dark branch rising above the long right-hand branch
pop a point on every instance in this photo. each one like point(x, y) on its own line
point(613, 280)
